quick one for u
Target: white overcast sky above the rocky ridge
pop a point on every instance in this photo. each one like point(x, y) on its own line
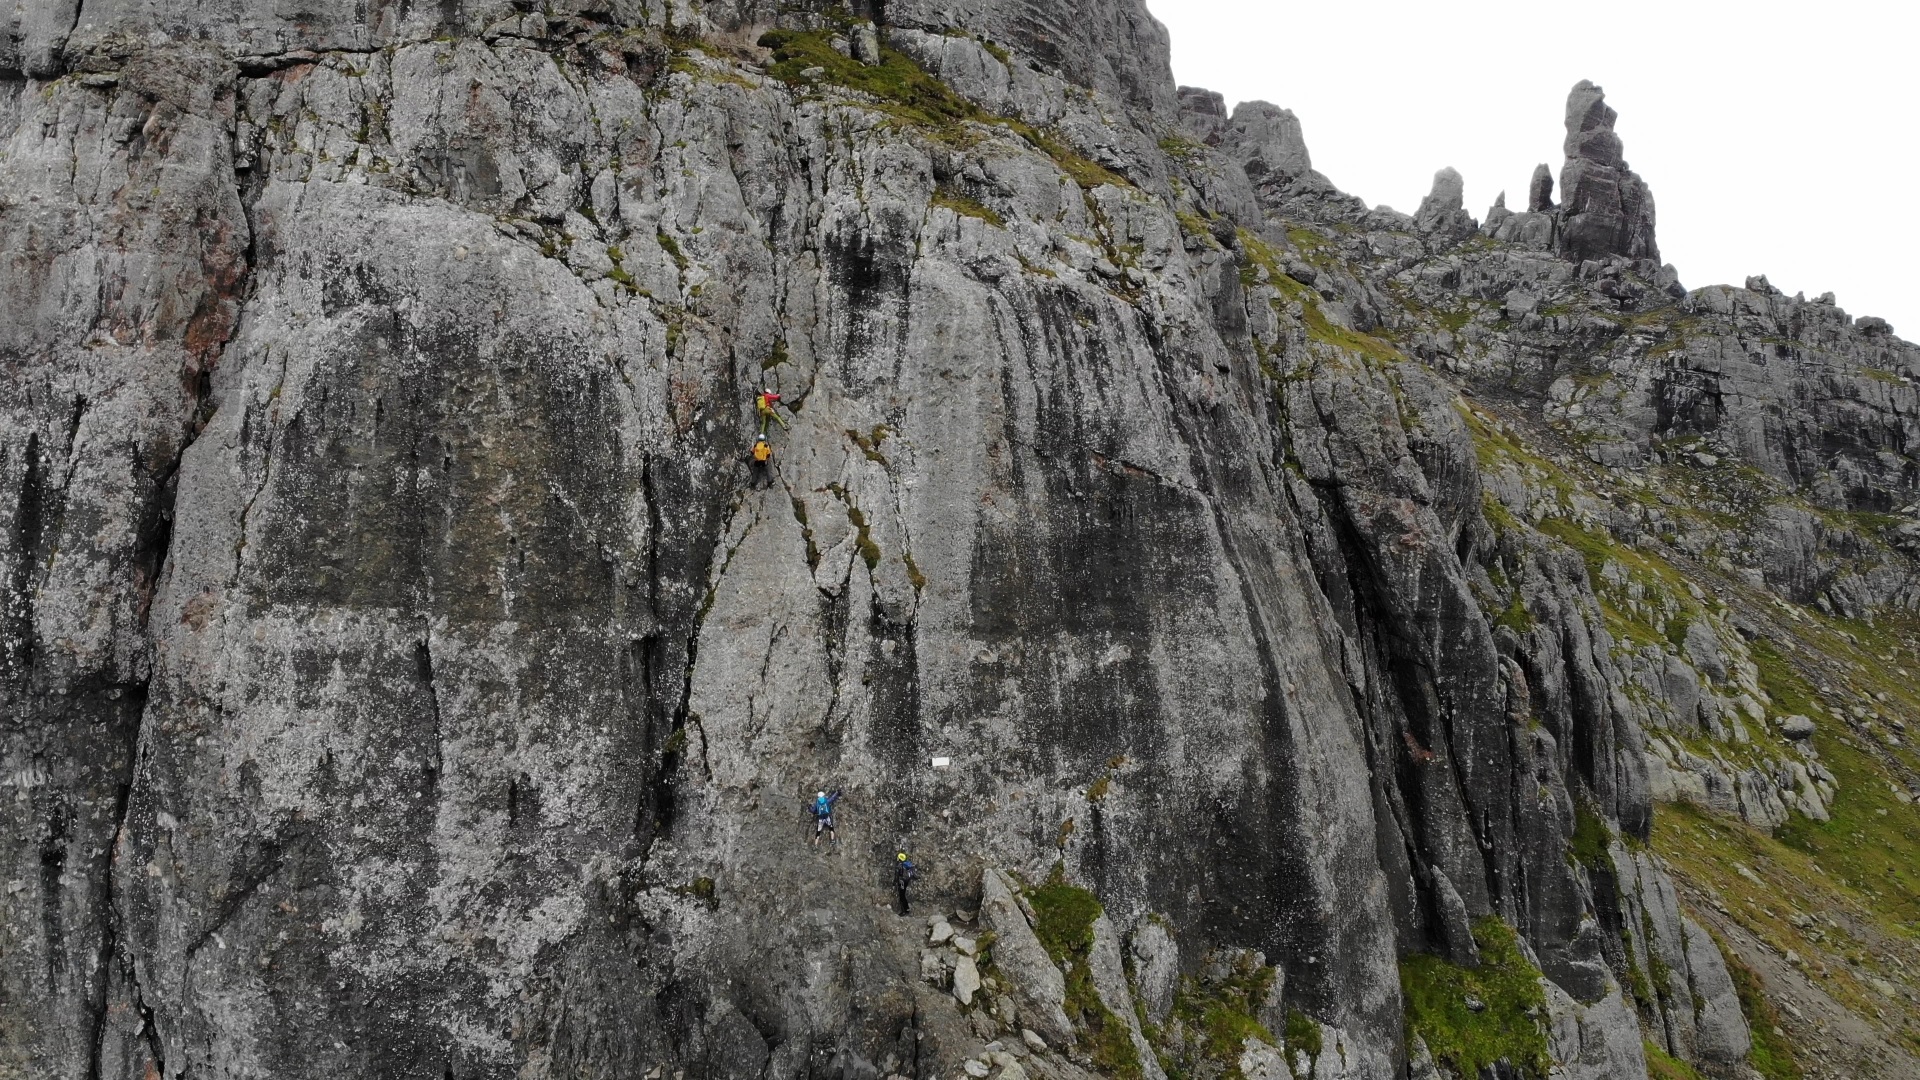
point(1777, 139)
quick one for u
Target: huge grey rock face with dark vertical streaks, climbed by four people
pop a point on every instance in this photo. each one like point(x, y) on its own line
point(404, 679)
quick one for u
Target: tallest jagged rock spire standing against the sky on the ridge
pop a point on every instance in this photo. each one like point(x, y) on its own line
point(1608, 210)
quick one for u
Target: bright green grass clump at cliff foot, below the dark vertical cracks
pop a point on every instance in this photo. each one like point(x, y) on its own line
point(1514, 1006)
